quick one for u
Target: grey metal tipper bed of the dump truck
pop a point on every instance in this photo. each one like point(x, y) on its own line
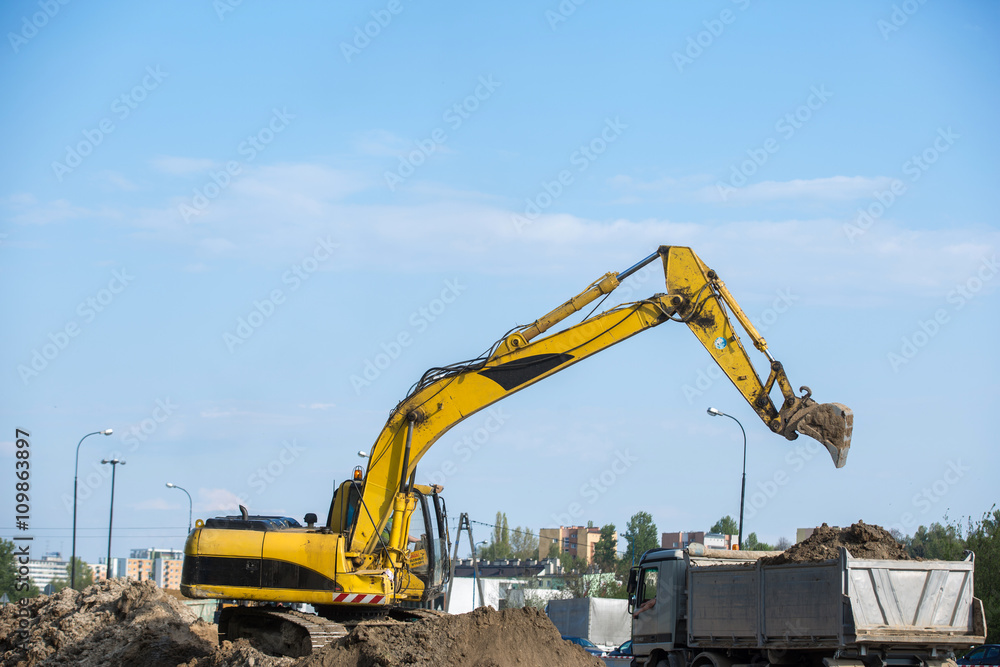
point(833, 603)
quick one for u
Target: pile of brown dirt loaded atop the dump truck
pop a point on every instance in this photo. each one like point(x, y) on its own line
point(861, 541)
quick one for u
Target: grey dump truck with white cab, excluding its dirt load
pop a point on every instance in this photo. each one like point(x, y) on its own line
point(699, 607)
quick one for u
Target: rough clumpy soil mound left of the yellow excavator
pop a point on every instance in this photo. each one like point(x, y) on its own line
point(114, 623)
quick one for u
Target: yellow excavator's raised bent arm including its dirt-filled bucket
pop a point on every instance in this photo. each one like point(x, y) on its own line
point(445, 396)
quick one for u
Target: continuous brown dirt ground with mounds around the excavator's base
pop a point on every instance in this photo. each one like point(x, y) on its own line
point(126, 623)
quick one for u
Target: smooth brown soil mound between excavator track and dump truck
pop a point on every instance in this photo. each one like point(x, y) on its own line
point(482, 638)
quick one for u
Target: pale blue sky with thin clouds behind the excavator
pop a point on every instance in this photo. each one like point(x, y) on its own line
point(397, 200)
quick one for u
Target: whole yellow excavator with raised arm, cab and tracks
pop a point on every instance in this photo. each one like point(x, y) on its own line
point(363, 562)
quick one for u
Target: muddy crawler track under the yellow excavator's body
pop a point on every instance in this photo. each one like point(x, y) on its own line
point(279, 631)
